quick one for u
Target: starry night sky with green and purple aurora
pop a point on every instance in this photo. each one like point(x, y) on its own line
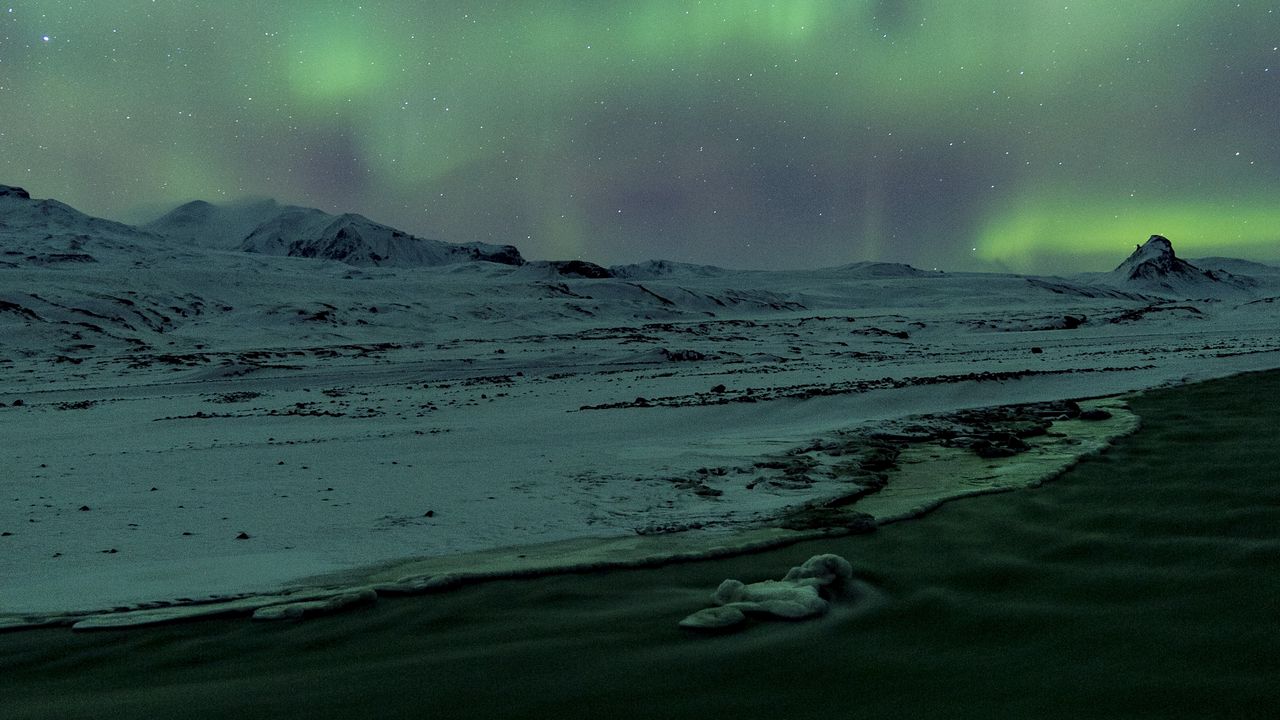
point(1018, 135)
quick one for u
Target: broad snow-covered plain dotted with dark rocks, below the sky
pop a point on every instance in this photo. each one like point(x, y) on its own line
point(186, 421)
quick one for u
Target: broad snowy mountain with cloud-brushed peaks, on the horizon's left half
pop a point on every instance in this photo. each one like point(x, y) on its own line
point(269, 229)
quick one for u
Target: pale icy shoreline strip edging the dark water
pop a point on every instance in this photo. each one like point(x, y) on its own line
point(913, 490)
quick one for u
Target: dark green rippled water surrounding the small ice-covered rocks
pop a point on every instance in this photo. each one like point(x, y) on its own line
point(1145, 584)
